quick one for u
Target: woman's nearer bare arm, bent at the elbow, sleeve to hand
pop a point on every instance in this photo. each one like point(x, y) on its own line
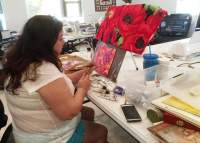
point(59, 98)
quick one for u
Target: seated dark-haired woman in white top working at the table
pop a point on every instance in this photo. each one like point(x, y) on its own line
point(40, 96)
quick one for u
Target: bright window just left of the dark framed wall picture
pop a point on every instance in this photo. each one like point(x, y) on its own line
point(72, 8)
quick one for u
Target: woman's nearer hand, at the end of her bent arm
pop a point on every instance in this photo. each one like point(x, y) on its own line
point(84, 82)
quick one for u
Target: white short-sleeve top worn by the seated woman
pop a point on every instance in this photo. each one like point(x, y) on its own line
point(33, 120)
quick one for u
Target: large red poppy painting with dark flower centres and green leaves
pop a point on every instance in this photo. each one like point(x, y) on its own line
point(130, 27)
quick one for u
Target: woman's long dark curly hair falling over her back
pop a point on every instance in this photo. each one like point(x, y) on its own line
point(35, 45)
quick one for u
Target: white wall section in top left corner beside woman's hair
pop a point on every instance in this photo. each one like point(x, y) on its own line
point(15, 14)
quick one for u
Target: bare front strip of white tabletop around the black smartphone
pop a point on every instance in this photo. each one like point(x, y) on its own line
point(137, 130)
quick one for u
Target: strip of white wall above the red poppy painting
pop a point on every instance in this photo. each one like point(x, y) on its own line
point(169, 5)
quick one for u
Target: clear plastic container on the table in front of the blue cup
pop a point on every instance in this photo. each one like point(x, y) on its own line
point(141, 92)
